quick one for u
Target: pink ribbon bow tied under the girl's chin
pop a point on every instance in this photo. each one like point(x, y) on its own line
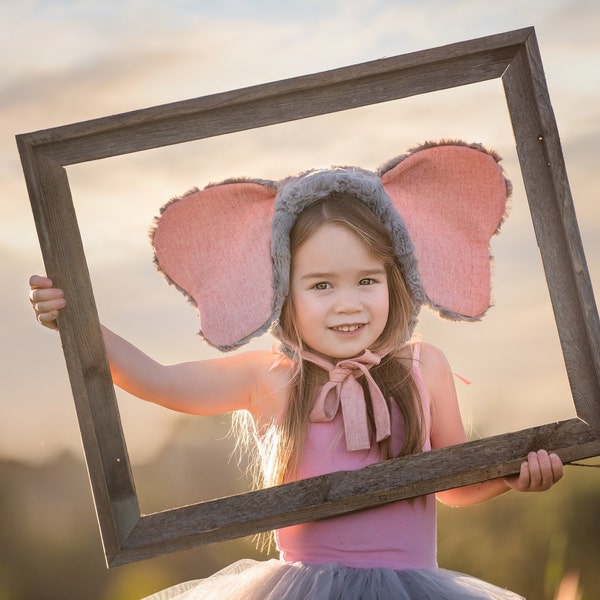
point(344, 389)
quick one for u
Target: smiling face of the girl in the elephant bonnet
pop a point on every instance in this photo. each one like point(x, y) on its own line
point(340, 293)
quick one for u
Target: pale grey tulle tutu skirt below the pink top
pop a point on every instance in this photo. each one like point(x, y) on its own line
point(277, 580)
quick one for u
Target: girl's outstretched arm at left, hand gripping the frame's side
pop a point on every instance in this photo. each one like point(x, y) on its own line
point(203, 387)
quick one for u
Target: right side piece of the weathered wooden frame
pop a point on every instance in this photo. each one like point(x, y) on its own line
point(555, 224)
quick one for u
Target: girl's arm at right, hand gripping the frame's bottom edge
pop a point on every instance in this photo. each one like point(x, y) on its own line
point(538, 473)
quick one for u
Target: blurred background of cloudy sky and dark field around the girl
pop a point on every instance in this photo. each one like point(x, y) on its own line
point(65, 61)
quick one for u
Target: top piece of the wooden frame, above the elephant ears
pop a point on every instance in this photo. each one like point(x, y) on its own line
point(281, 101)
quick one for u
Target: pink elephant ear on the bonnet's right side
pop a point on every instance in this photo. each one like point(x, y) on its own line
point(452, 198)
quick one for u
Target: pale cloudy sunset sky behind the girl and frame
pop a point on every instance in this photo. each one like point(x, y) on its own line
point(69, 61)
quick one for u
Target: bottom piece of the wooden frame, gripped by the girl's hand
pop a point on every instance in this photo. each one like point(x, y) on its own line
point(344, 492)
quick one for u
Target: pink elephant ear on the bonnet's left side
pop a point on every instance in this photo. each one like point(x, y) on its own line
point(214, 246)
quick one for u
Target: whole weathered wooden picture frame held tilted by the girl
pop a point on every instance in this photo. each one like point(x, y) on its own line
point(128, 535)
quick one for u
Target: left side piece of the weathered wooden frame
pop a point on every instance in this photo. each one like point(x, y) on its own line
point(89, 374)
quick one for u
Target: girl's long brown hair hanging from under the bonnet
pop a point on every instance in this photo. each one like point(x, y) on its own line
point(285, 440)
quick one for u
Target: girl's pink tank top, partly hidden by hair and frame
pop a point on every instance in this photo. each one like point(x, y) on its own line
point(401, 535)
